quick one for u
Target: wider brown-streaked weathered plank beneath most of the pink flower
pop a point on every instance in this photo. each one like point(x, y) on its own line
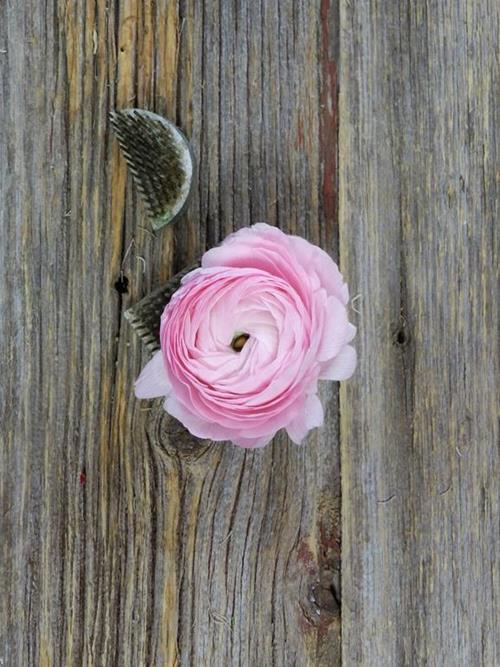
point(119, 546)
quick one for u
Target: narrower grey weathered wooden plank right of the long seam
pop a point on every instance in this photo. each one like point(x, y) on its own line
point(419, 118)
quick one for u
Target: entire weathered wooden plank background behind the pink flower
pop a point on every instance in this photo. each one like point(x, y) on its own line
point(369, 128)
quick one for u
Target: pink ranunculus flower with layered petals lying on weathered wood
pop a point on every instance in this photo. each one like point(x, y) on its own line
point(247, 336)
